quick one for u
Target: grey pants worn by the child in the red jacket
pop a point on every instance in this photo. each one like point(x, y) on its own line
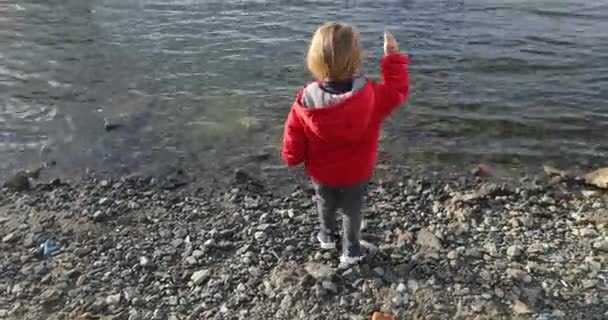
point(350, 200)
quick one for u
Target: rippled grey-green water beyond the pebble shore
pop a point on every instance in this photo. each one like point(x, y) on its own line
point(199, 83)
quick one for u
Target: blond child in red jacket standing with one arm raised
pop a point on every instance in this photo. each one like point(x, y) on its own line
point(334, 126)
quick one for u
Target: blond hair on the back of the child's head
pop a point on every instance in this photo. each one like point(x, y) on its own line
point(334, 52)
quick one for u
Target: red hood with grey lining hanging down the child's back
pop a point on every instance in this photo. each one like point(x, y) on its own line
point(343, 120)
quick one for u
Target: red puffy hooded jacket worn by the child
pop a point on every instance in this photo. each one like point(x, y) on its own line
point(339, 143)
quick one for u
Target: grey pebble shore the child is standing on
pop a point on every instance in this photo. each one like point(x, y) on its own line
point(439, 248)
